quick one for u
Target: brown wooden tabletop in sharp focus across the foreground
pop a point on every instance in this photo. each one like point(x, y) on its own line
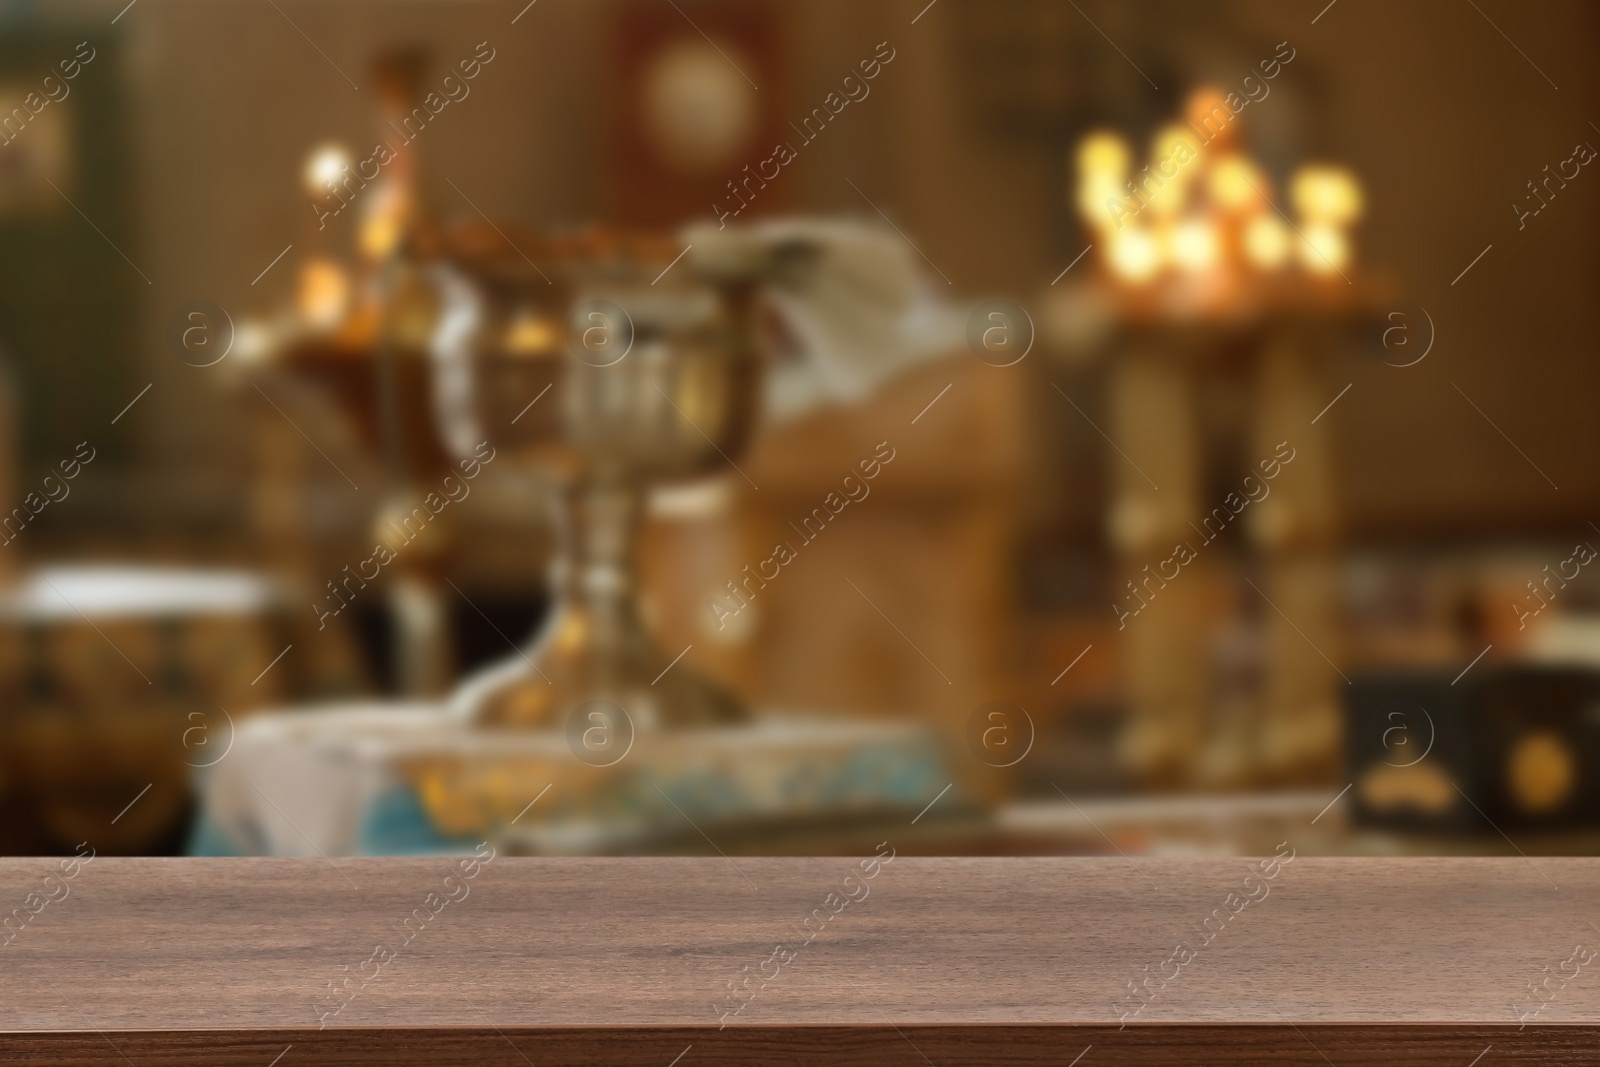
point(220, 964)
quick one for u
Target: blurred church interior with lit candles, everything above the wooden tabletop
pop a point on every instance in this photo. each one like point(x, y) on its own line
point(431, 374)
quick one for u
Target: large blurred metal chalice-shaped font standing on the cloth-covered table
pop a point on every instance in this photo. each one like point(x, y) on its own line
point(642, 372)
